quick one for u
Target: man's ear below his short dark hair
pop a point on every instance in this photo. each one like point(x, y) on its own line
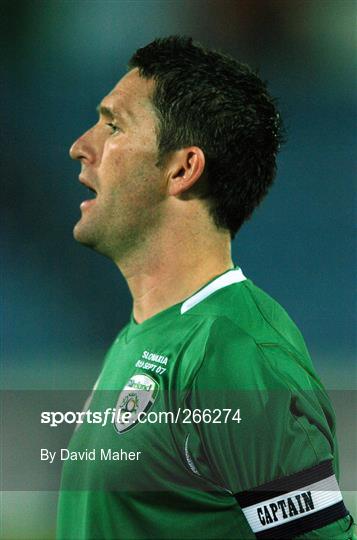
point(185, 168)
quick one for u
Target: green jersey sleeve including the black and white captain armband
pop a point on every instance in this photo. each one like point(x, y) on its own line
point(266, 435)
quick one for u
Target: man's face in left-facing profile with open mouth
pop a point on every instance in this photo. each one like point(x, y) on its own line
point(118, 158)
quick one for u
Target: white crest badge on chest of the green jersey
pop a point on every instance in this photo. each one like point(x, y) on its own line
point(136, 398)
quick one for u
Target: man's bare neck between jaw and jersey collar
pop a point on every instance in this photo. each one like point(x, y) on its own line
point(163, 273)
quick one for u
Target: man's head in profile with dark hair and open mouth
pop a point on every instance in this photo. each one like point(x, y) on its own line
point(184, 124)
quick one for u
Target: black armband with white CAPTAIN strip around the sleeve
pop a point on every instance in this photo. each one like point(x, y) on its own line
point(295, 504)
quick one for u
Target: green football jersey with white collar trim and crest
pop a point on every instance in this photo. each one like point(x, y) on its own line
point(214, 424)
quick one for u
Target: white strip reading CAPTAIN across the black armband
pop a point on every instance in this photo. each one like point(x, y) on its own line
point(324, 493)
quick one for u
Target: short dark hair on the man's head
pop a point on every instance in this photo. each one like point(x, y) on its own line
point(208, 99)
